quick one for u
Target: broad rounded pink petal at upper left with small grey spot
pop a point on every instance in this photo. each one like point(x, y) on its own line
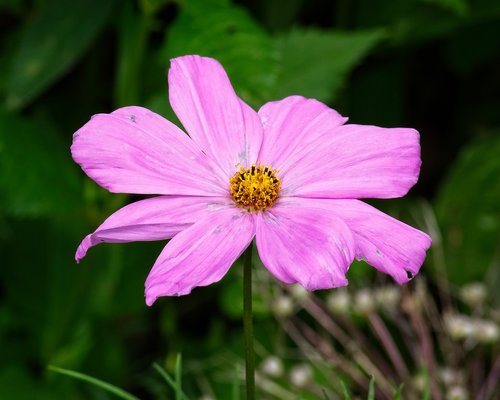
point(134, 150)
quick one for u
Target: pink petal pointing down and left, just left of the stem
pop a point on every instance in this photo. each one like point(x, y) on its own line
point(201, 254)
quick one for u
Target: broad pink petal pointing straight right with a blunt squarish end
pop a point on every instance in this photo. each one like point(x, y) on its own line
point(355, 161)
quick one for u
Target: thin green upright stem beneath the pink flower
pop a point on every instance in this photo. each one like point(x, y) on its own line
point(248, 324)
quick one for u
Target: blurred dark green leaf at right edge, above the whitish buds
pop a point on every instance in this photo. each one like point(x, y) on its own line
point(468, 213)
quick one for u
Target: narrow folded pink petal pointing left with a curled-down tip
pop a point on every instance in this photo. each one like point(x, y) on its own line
point(158, 218)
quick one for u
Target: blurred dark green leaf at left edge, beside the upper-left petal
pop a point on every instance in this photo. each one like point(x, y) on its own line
point(38, 176)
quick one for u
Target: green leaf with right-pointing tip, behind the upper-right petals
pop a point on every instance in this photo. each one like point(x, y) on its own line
point(316, 63)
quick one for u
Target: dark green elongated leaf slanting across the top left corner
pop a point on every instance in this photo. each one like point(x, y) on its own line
point(54, 40)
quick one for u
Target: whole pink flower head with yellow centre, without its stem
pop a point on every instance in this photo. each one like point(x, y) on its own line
point(287, 175)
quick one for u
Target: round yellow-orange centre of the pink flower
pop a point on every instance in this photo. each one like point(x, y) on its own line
point(256, 188)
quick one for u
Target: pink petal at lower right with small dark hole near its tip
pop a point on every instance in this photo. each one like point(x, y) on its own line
point(384, 242)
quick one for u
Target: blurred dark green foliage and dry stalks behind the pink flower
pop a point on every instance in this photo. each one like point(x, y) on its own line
point(429, 64)
